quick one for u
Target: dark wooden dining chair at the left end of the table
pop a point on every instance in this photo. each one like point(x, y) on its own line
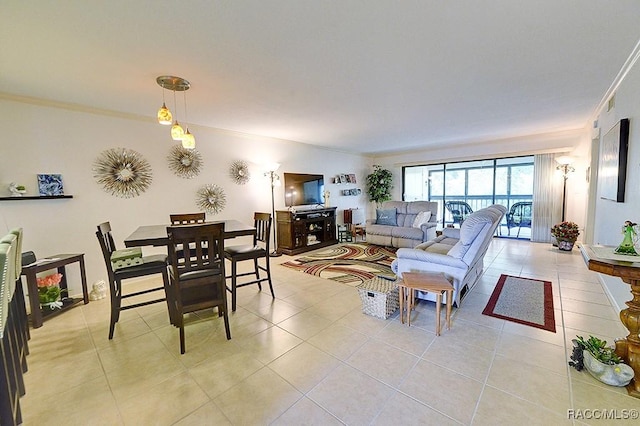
point(155, 264)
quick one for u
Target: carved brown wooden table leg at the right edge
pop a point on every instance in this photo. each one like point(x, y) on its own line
point(629, 348)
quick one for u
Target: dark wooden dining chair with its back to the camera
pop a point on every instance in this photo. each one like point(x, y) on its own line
point(197, 282)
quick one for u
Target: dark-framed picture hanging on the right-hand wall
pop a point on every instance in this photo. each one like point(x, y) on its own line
point(613, 162)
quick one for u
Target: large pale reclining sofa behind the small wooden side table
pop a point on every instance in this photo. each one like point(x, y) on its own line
point(458, 253)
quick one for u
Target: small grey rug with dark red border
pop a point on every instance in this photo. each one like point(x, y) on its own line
point(523, 300)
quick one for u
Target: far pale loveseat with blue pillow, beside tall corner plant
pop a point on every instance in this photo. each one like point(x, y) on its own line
point(396, 225)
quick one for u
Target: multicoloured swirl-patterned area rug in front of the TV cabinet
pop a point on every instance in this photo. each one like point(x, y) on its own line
point(351, 263)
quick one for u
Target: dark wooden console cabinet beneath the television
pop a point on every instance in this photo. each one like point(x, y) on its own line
point(305, 230)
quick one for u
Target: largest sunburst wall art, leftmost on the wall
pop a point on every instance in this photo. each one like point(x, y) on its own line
point(122, 172)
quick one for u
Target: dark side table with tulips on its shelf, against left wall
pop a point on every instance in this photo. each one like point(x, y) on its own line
point(59, 261)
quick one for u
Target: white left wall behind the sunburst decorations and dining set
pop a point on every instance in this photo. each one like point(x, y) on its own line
point(39, 138)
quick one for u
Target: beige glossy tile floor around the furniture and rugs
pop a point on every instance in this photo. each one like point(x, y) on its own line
point(311, 357)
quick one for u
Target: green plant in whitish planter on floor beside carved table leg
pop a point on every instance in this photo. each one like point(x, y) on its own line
point(600, 361)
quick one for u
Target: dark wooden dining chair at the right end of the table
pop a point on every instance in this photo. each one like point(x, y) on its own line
point(258, 250)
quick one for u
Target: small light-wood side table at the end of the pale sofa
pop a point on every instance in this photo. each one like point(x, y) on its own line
point(429, 282)
